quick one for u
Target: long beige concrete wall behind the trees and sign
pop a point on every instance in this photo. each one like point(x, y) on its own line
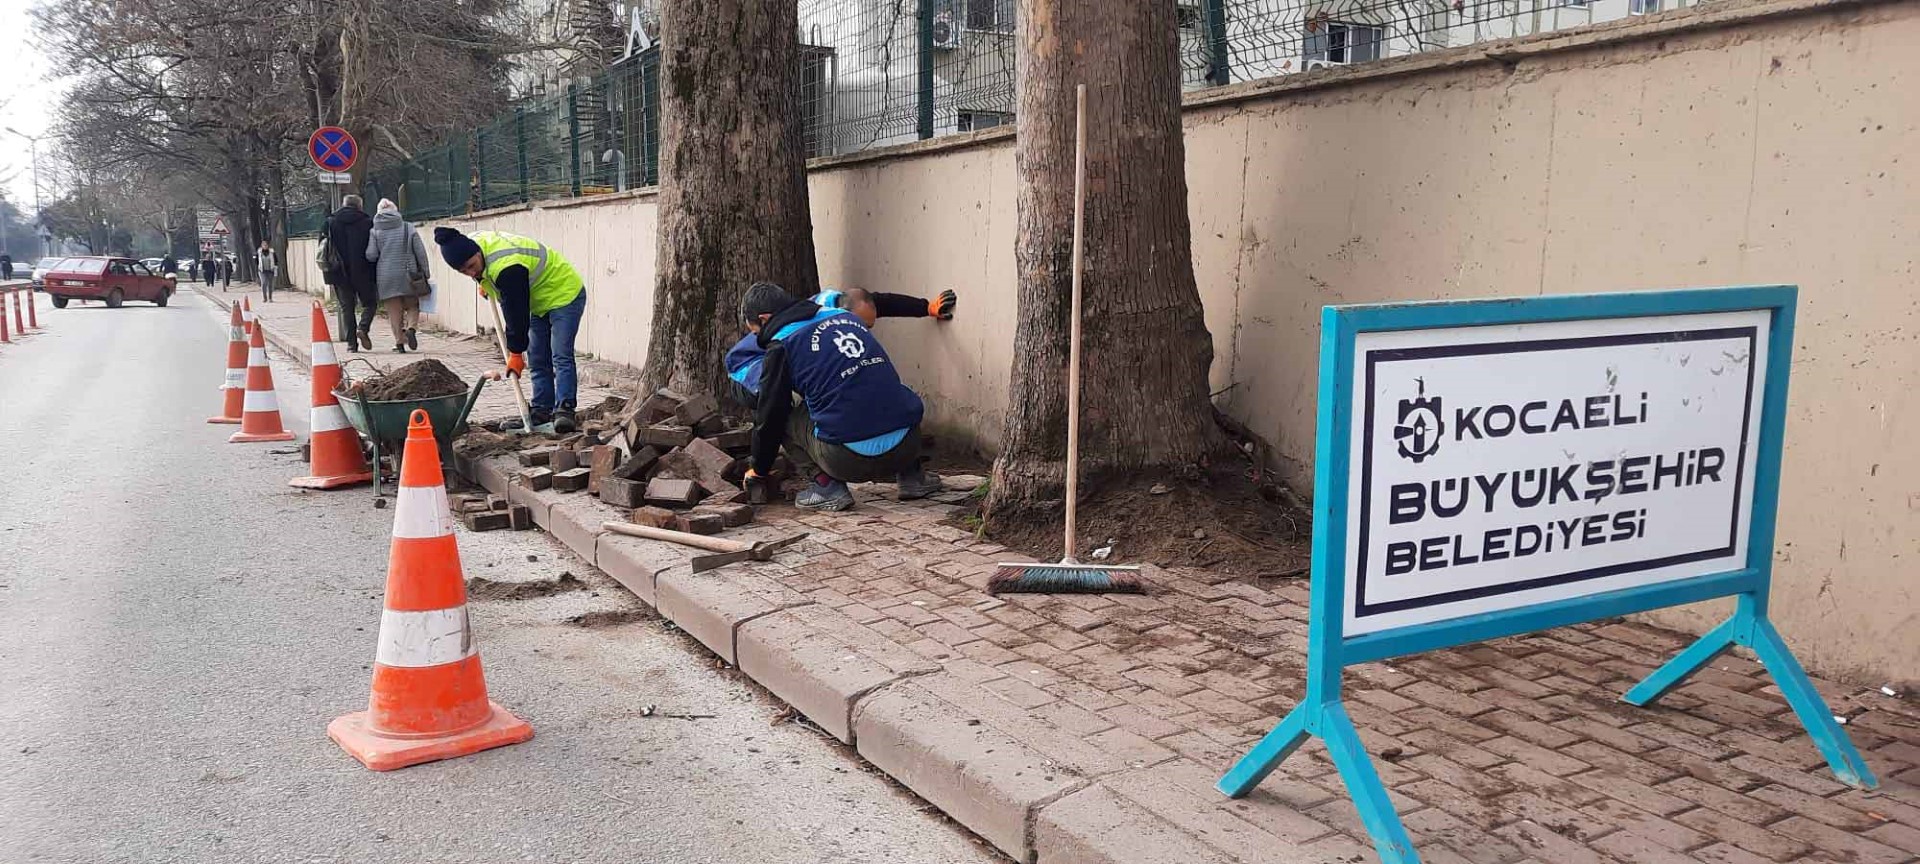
point(1764, 143)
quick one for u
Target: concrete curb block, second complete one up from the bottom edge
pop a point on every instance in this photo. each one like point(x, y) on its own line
point(813, 669)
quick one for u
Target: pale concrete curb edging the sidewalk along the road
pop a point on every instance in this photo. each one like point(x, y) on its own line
point(865, 692)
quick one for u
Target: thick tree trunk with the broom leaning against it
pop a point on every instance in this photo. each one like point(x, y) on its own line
point(1145, 348)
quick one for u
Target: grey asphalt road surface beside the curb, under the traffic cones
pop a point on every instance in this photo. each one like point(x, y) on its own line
point(178, 627)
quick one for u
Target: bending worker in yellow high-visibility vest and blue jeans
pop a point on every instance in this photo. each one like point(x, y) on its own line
point(542, 300)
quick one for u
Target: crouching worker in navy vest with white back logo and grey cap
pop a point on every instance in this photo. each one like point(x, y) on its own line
point(853, 423)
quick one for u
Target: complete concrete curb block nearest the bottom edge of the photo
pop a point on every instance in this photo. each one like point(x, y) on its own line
point(976, 775)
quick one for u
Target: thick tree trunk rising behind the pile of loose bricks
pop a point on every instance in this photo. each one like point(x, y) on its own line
point(732, 181)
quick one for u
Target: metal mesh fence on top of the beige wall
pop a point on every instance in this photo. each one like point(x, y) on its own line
point(890, 72)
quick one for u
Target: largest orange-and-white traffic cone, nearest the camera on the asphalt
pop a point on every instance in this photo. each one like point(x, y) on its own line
point(429, 694)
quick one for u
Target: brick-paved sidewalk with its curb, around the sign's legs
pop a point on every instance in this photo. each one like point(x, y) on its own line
point(1092, 729)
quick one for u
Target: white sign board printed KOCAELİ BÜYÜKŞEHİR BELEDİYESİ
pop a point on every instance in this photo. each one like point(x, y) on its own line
point(1500, 468)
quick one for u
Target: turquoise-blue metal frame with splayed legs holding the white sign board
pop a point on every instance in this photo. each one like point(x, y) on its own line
point(1330, 652)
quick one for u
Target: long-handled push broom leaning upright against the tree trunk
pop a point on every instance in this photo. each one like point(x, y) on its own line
point(1070, 575)
